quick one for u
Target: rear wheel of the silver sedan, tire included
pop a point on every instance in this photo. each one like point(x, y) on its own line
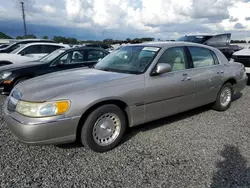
point(220, 104)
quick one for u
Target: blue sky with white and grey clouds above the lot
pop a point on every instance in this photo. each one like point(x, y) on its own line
point(120, 19)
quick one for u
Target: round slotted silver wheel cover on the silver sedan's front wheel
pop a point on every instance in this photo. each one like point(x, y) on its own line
point(106, 129)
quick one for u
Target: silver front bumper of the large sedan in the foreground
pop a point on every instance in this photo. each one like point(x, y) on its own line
point(36, 131)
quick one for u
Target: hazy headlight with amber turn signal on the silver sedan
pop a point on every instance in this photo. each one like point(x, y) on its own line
point(46, 109)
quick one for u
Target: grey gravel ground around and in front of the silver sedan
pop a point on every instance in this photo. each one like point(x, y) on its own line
point(199, 148)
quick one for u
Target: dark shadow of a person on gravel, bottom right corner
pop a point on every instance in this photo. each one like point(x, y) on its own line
point(232, 171)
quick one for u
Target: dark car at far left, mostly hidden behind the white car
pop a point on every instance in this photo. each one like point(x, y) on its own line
point(12, 46)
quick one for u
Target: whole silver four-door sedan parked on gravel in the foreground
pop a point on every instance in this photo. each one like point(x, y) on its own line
point(131, 86)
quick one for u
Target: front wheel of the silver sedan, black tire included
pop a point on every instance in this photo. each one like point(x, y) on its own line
point(103, 128)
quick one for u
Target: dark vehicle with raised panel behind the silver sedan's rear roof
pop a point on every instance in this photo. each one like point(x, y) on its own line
point(221, 42)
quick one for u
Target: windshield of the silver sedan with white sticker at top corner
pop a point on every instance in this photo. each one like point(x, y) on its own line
point(129, 59)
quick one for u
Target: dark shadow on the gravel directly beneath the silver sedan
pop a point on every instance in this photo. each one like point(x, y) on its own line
point(131, 132)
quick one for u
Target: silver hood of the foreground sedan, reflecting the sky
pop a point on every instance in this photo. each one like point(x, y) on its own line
point(44, 88)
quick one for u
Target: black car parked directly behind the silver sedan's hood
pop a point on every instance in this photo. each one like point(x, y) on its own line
point(61, 59)
